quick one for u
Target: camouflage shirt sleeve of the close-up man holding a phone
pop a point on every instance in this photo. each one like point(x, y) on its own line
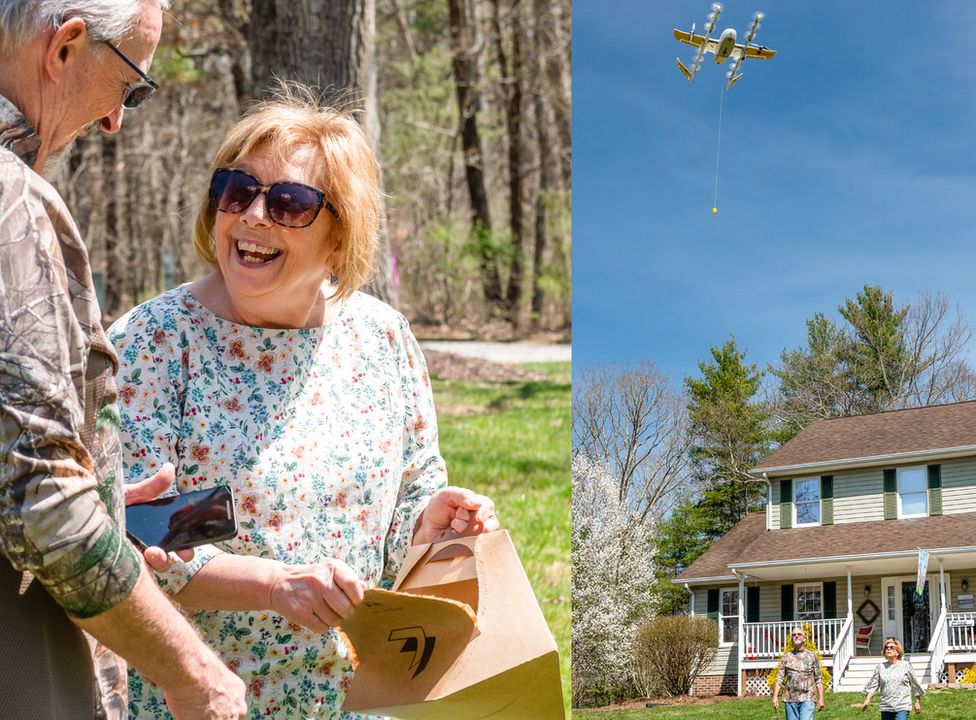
point(57, 497)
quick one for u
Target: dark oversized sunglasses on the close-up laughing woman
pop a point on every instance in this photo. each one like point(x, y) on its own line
point(288, 204)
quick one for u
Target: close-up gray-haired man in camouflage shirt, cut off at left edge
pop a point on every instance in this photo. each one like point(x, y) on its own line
point(63, 66)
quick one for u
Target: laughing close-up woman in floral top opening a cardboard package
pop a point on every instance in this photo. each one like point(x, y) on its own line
point(276, 376)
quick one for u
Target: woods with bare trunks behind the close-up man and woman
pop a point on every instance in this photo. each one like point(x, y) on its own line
point(467, 101)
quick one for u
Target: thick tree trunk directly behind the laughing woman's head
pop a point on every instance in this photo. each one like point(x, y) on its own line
point(331, 46)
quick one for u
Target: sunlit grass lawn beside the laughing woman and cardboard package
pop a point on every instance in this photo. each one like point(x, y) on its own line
point(511, 442)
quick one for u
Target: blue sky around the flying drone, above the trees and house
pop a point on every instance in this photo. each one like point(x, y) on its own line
point(849, 158)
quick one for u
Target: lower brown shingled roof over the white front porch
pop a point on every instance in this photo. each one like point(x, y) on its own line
point(750, 542)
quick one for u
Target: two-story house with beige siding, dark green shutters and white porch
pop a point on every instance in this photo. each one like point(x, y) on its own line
point(850, 501)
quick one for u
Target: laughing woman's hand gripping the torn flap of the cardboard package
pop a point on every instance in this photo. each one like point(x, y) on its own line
point(316, 596)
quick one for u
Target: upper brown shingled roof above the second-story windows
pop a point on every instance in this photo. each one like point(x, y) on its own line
point(880, 435)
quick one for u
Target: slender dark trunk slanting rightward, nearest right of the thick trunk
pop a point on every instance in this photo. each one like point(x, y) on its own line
point(466, 45)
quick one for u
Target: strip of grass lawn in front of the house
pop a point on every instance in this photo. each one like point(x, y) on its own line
point(936, 705)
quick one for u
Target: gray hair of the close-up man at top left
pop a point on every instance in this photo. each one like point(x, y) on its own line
point(105, 19)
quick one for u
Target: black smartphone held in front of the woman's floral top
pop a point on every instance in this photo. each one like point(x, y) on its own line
point(183, 521)
